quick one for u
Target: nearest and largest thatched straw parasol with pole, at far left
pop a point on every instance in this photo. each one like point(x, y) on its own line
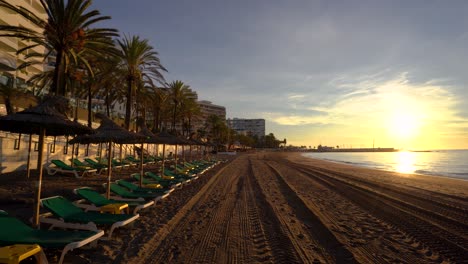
point(45, 119)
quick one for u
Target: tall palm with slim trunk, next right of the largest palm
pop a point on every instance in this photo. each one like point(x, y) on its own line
point(141, 63)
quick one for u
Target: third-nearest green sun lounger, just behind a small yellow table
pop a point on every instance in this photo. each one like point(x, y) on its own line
point(99, 200)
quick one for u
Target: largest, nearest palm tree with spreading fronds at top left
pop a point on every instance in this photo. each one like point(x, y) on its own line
point(65, 33)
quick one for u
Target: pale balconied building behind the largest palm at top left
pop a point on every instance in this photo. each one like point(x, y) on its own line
point(9, 60)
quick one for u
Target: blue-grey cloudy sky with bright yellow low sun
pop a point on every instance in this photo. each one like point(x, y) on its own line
point(336, 73)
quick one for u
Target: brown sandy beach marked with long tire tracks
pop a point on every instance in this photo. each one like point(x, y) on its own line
point(278, 208)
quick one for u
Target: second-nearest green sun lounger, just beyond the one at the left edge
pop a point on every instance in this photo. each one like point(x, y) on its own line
point(68, 214)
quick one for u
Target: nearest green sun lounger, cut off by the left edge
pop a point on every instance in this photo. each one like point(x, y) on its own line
point(14, 231)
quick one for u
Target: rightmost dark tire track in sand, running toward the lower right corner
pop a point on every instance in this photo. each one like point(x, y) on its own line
point(439, 238)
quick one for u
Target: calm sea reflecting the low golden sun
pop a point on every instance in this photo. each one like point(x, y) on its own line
point(447, 163)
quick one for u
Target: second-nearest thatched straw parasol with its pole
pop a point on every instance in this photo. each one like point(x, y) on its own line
point(109, 132)
